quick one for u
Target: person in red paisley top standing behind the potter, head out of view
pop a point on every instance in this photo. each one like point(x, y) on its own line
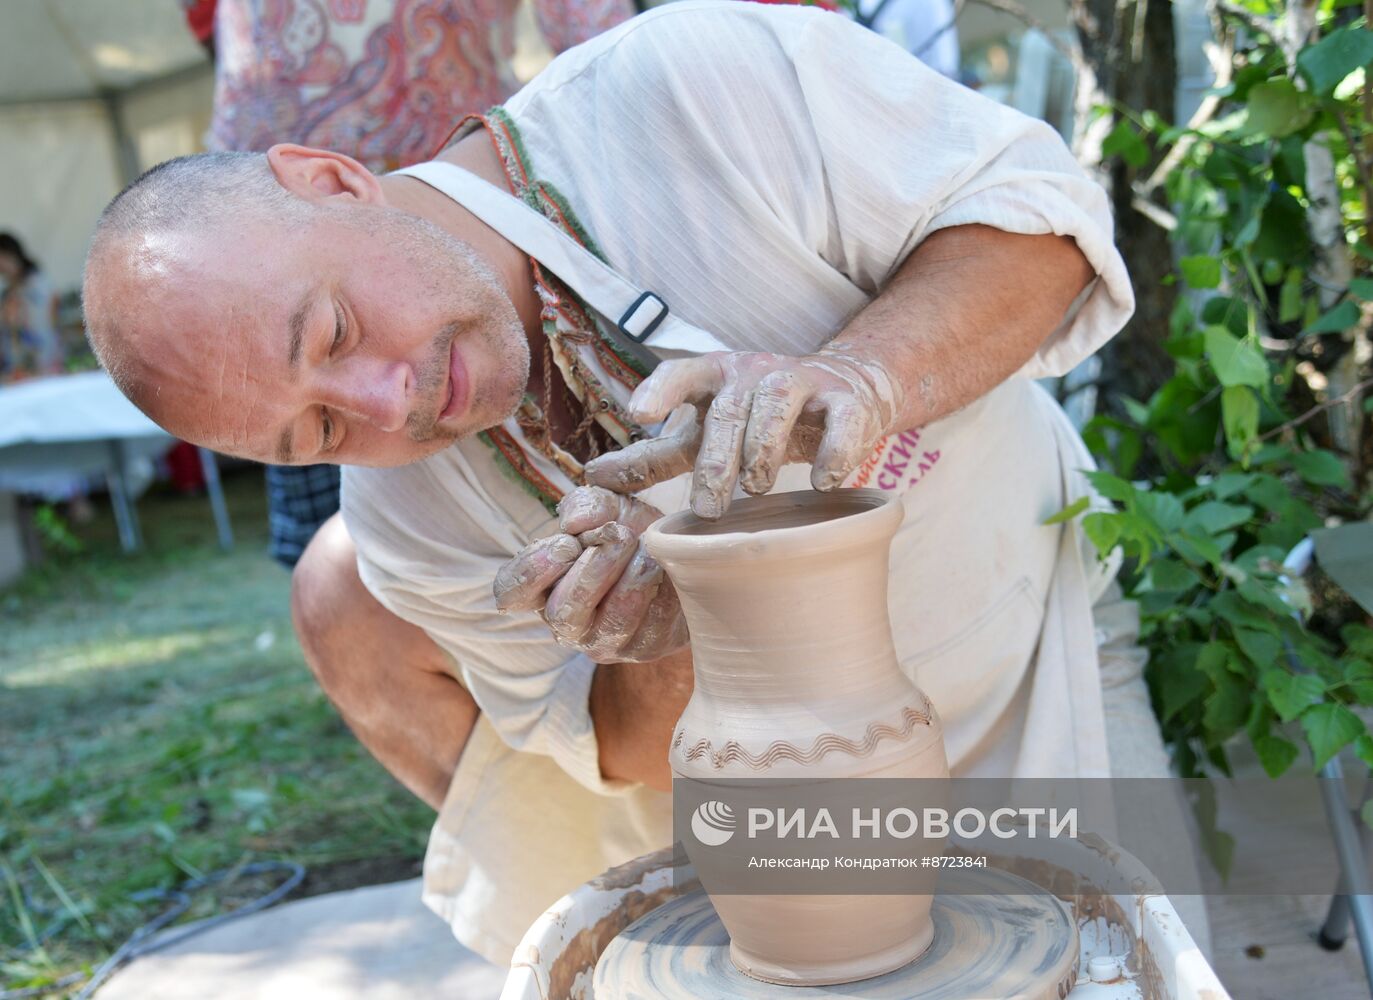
point(380, 80)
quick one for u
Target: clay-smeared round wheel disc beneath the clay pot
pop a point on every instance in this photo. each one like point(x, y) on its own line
point(1011, 940)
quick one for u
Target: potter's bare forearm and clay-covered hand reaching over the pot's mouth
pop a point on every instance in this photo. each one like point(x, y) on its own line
point(966, 310)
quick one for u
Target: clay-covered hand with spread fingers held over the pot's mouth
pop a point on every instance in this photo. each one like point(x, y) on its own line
point(741, 417)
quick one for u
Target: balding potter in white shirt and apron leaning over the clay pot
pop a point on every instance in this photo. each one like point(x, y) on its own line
point(878, 249)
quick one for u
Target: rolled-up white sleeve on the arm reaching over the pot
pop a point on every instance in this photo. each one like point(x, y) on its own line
point(908, 153)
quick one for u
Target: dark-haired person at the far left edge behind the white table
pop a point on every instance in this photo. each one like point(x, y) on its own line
point(28, 315)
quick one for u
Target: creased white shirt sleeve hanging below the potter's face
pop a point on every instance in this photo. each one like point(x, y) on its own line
point(429, 543)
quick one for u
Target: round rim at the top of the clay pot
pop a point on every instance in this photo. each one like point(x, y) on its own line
point(875, 516)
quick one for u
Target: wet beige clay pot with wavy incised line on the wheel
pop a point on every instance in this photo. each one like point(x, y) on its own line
point(797, 678)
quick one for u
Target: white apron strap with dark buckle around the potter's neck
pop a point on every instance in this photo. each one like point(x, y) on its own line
point(642, 318)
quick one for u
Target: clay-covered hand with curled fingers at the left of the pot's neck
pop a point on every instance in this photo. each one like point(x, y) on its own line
point(595, 584)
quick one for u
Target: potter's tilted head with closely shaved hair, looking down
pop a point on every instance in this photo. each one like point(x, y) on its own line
point(279, 308)
